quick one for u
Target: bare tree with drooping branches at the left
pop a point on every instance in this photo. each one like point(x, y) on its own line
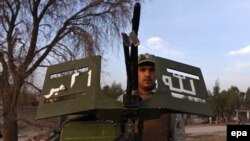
point(35, 33)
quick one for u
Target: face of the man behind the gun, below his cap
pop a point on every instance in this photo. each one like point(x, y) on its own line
point(146, 77)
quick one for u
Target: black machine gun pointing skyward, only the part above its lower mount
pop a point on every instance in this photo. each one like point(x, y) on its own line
point(130, 46)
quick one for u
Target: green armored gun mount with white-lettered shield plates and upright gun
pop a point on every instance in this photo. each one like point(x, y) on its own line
point(72, 91)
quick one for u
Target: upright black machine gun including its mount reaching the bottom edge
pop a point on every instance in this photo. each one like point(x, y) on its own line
point(131, 101)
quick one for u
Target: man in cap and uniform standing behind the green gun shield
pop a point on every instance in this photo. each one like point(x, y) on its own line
point(169, 127)
